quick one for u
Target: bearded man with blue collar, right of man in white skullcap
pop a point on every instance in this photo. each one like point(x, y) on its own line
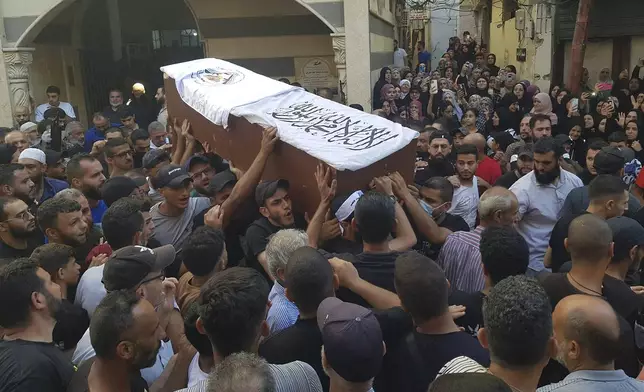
point(85, 173)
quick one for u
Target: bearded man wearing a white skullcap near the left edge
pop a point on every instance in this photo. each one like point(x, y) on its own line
point(35, 162)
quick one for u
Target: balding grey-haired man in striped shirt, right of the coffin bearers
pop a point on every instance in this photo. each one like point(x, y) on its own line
point(460, 256)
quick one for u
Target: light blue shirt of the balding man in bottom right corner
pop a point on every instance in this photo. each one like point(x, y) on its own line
point(596, 380)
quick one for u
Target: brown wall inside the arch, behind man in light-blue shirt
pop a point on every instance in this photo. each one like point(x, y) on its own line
point(59, 66)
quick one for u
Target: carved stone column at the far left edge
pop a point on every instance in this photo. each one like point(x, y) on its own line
point(17, 61)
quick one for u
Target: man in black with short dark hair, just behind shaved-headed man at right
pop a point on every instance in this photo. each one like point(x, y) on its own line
point(608, 198)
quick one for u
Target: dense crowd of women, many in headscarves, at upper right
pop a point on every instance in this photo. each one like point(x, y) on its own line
point(471, 93)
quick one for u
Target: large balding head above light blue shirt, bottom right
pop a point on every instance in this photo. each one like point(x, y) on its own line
point(592, 323)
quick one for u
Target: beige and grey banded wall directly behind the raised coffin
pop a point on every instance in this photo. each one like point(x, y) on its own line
point(272, 37)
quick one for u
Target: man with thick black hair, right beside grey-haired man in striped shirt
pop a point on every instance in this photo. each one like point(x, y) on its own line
point(504, 252)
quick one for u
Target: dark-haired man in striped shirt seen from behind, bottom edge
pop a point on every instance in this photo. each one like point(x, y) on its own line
point(233, 306)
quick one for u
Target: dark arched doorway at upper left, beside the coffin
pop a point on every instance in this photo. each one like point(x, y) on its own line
point(113, 44)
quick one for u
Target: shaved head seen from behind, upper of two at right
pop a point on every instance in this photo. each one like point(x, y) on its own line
point(590, 240)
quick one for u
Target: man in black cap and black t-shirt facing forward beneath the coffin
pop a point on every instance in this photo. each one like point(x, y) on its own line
point(277, 213)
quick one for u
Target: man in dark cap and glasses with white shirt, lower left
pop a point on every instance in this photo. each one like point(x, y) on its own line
point(140, 270)
